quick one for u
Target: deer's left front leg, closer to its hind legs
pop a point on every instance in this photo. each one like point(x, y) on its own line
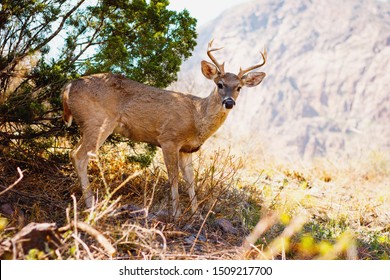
point(171, 159)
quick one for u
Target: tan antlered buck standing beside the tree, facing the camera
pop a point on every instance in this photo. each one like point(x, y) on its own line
point(178, 123)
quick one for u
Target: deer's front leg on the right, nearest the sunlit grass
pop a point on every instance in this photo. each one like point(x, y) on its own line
point(188, 174)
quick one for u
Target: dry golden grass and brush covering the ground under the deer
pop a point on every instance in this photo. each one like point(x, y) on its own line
point(270, 211)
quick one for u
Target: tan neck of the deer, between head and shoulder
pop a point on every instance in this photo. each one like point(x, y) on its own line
point(212, 115)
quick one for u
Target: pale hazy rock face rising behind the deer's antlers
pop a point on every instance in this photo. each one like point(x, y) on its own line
point(328, 74)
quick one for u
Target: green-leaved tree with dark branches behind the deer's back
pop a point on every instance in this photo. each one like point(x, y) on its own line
point(45, 43)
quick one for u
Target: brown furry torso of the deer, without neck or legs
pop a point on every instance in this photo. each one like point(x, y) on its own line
point(142, 113)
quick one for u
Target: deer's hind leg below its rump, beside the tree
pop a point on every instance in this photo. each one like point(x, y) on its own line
point(92, 137)
